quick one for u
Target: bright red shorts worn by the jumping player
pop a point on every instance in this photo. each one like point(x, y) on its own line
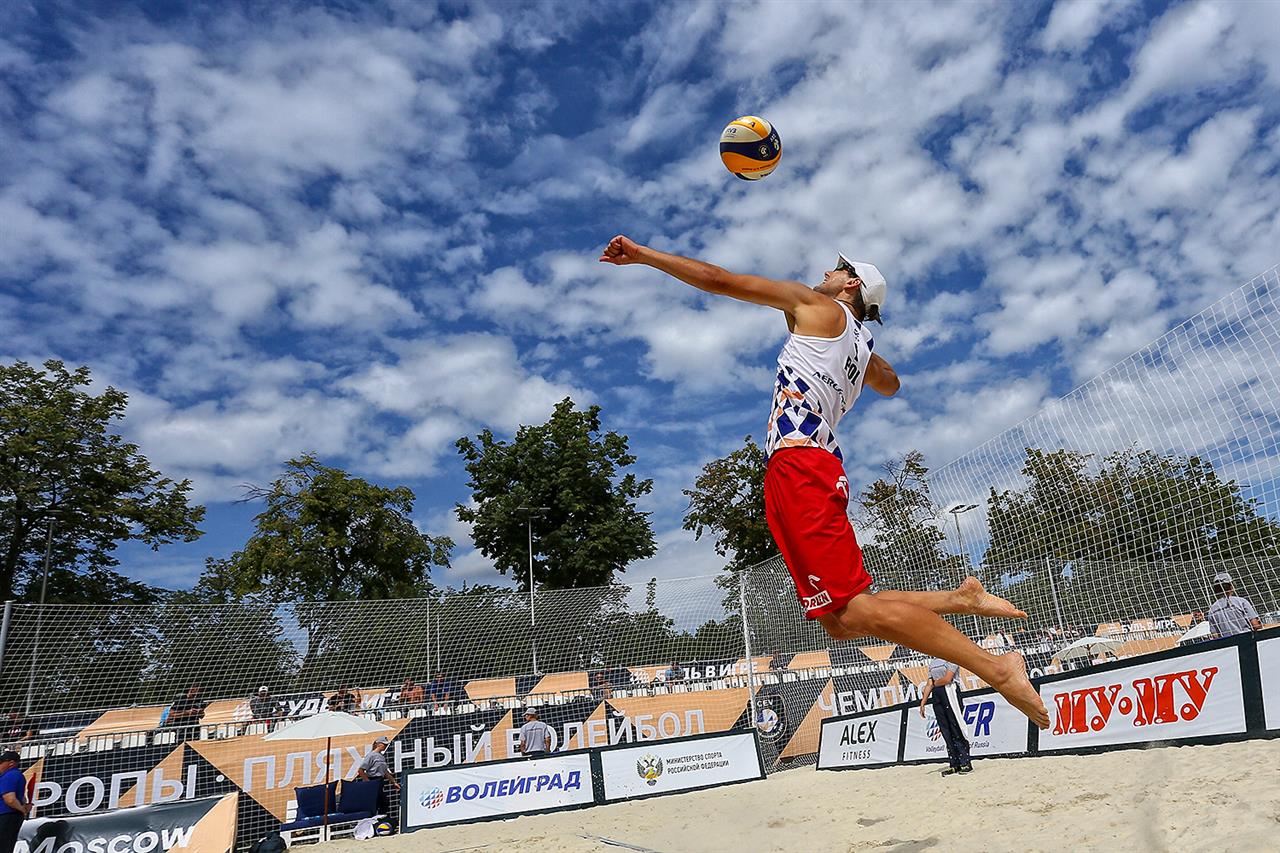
point(807, 504)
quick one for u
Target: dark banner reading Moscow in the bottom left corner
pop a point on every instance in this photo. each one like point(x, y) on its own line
point(199, 827)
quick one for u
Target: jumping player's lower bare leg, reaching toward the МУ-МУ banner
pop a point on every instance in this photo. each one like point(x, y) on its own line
point(907, 624)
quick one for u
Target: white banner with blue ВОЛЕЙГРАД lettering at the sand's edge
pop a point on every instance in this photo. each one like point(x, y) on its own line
point(499, 790)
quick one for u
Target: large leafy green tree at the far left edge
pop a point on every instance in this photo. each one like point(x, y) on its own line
point(61, 462)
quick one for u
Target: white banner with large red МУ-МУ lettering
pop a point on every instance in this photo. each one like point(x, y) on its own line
point(1192, 696)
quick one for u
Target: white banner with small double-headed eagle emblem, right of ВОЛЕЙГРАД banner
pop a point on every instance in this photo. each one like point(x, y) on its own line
point(664, 768)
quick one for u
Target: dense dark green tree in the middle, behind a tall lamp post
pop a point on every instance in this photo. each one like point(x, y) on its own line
point(592, 528)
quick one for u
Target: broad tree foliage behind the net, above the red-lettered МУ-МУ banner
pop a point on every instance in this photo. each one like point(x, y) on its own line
point(1132, 518)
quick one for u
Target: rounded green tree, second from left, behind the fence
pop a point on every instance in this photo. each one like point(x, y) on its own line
point(327, 536)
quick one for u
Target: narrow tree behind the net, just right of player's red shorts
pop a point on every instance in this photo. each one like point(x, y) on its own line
point(909, 549)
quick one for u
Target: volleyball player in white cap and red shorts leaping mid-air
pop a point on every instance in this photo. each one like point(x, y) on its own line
point(822, 370)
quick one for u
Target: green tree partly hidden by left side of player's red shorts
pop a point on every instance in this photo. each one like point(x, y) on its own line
point(728, 501)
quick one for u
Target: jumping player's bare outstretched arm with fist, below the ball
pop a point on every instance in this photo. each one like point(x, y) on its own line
point(785, 297)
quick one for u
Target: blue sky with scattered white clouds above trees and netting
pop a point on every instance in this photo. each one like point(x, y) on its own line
point(368, 230)
